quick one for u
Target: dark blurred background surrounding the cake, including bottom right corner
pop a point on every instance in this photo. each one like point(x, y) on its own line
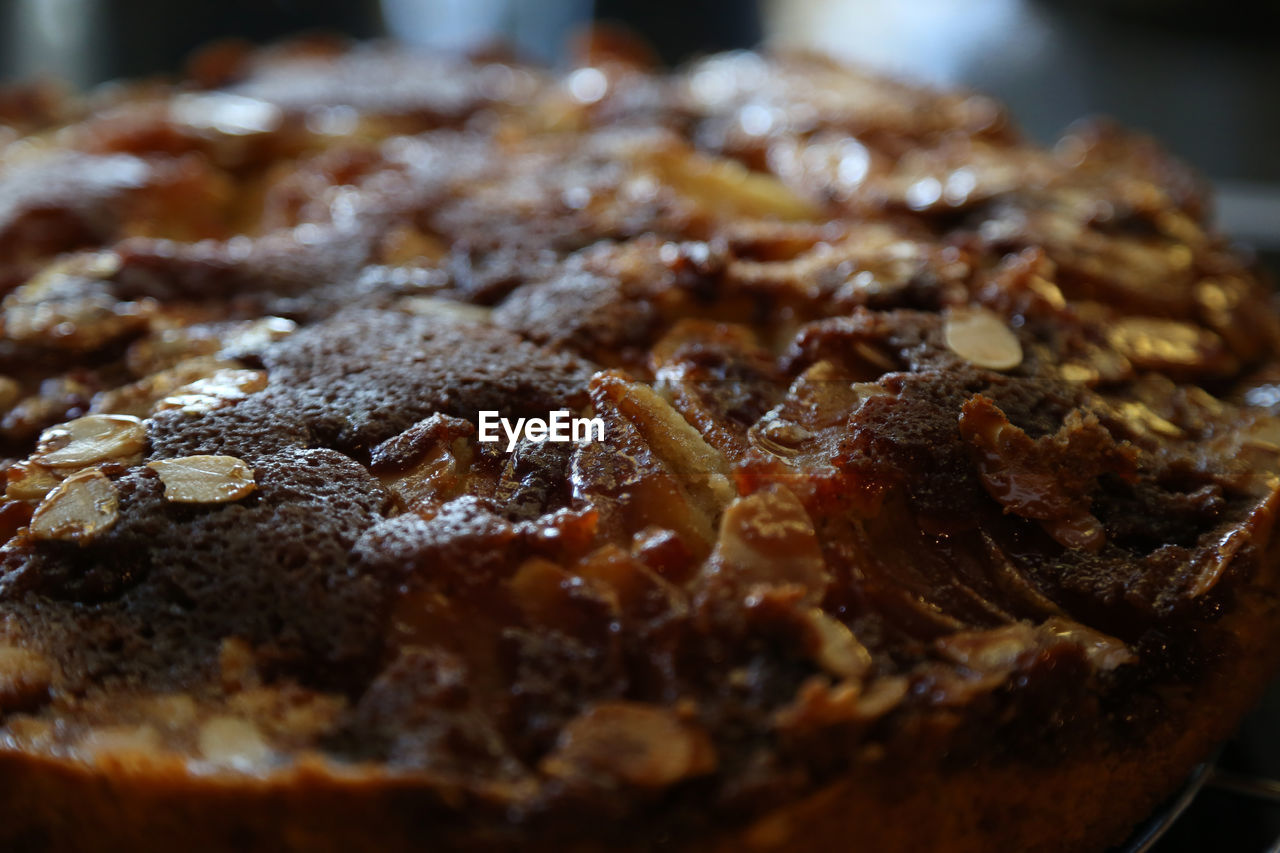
point(1204, 76)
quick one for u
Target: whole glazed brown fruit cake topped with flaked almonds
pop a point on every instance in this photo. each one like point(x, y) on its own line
point(934, 510)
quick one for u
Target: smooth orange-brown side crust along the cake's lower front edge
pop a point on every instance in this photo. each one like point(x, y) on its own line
point(1085, 802)
